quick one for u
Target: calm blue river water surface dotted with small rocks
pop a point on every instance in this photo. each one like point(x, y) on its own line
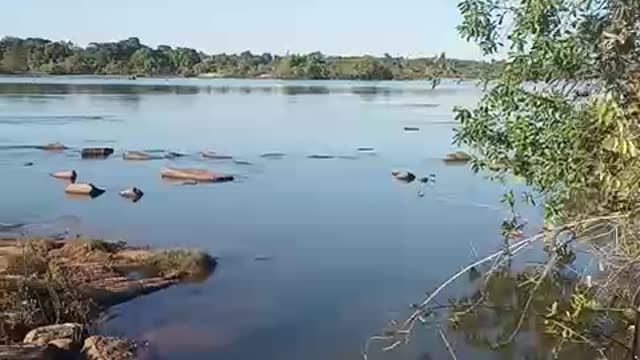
point(343, 248)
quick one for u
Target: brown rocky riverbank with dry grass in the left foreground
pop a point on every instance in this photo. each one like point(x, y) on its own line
point(46, 282)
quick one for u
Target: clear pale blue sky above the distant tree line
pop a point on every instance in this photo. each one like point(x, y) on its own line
point(337, 27)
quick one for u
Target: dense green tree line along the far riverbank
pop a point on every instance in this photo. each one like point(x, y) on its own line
point(131, 57)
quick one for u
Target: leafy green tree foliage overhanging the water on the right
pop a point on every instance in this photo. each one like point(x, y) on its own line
point(579, 153)
